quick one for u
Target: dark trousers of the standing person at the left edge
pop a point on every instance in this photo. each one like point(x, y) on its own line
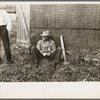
point(5, 39)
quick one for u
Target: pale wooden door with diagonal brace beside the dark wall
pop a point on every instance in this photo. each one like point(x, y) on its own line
point(23, 25)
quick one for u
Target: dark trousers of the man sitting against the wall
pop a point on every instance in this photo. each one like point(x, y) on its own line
point(36, 55)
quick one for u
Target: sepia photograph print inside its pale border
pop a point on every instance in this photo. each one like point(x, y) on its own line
point(49, 42)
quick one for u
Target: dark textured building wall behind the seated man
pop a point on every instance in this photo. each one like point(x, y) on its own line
point(78, 23)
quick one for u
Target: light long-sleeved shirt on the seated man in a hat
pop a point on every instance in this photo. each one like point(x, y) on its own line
point(46, 46)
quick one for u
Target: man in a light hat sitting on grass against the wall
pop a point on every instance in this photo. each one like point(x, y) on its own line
point(45, 48)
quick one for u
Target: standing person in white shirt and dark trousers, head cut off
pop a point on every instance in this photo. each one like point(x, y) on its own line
point(5, 26)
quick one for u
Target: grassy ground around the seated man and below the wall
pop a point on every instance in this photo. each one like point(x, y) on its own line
point(84, 65)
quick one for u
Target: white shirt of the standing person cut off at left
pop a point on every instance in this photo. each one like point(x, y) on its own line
point(5, 19)
